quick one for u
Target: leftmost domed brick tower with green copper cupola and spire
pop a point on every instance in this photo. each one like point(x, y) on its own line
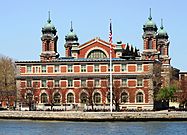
point(49, 42)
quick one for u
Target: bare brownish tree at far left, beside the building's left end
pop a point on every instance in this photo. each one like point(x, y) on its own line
point(7, 80)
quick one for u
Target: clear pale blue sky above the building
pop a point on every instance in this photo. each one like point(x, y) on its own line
point(21, 22)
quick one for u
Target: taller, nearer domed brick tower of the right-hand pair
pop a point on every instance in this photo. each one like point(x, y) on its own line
point(149, 39)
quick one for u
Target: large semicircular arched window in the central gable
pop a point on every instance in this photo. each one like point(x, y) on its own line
point(96, 54)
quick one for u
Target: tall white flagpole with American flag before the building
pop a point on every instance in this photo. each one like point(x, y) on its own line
point(110, 41)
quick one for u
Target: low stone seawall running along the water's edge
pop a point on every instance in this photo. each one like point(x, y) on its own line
point(95, 116)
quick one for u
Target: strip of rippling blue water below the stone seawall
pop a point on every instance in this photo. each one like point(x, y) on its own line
point(15, 127)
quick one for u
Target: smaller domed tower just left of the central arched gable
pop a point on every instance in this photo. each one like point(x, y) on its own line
point(71, 44)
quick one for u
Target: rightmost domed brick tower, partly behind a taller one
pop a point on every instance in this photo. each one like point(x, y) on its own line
point(163, 45)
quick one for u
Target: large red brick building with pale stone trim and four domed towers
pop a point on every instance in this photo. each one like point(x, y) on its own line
point(81, 78)
